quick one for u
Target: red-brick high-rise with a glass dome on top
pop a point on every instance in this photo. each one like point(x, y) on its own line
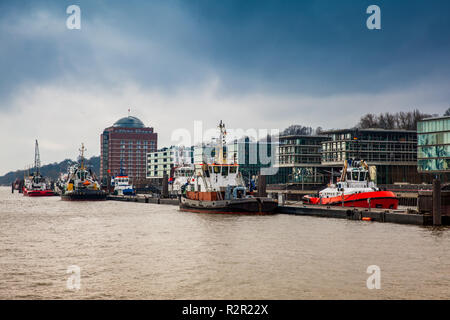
point(126, 144)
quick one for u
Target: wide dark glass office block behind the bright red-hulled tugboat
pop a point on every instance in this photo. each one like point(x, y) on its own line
point(393, 152)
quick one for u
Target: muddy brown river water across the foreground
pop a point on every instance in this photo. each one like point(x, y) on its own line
point(149, 251)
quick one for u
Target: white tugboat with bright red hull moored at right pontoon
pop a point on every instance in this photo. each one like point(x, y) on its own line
point(355, 188)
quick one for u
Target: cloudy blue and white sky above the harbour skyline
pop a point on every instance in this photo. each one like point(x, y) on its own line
point(252, 64)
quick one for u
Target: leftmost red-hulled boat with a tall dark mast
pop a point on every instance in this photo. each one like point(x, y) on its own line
point(36, 185)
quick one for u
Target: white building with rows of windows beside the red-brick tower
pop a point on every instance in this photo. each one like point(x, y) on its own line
point(165, 160)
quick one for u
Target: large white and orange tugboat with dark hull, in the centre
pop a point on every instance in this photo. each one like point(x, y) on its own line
point(220, 188)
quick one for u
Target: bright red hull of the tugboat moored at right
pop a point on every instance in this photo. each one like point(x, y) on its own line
point(376, 199)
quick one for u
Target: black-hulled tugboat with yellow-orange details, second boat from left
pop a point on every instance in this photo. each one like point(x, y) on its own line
point(82, 183)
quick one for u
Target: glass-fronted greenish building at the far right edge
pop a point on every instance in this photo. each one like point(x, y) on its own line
point(433, 145)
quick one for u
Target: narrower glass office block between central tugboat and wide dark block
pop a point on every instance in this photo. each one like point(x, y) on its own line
point(300, 160)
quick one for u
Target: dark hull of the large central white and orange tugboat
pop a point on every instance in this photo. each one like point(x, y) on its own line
point(258, 205)
